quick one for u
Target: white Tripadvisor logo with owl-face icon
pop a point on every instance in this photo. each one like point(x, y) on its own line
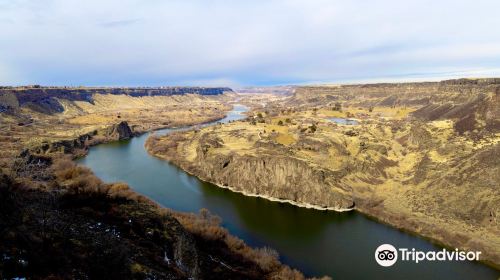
point(387, 255)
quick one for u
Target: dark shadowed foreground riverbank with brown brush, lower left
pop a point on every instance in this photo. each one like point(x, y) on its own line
point(69, 221)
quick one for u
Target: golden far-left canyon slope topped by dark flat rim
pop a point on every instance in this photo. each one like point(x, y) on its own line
point(40, 117)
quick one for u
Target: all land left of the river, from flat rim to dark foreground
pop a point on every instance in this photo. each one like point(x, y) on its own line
point(49, 206)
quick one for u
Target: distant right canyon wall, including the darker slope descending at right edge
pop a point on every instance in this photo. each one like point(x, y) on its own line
point(473, 103)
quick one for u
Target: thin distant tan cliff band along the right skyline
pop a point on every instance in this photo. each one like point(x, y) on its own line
point(396, 94)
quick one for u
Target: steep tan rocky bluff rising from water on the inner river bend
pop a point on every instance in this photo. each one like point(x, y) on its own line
point(271, 175)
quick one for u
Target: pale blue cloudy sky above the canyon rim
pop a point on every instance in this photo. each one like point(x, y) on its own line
point(244, 43)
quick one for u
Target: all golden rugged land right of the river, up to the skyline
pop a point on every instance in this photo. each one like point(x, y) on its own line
point(423, 157)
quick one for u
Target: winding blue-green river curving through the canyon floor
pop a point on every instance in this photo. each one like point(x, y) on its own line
point(340, 245)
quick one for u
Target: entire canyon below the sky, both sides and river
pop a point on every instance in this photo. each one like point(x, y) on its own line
point(420, 157)
